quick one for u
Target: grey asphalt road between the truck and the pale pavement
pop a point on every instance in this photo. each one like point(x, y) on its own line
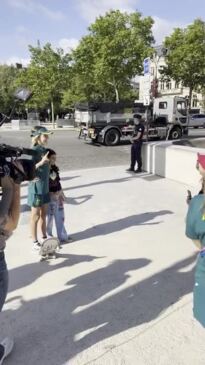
point(72, 153)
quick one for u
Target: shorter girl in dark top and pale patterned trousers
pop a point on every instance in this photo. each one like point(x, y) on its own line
point(56, 205)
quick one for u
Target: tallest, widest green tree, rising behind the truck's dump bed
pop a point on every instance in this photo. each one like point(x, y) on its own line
point(111, 55)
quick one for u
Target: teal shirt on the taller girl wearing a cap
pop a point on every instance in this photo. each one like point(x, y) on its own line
point(40, 185)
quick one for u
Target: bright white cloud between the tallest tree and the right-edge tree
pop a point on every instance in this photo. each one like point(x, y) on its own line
point(163, 27)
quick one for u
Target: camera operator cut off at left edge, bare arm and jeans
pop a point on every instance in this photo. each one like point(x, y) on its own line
point(9, 217)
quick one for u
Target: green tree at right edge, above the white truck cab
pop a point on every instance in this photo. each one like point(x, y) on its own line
point(185, 59)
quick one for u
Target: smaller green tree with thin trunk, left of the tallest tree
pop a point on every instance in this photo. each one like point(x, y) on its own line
point(47, 76)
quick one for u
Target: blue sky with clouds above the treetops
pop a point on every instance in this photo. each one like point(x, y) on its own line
point(64, 22)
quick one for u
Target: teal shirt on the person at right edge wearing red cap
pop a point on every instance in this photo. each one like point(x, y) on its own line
point(195, 221)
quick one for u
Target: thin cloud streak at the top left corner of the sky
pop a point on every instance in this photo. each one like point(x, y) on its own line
point(32, 6)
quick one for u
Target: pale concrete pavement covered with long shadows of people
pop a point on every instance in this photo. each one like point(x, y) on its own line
point(121, 294)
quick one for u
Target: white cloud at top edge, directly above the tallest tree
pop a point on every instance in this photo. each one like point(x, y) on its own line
point(90, 9)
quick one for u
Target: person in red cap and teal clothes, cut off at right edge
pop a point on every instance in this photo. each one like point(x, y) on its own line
point(195, 230)
